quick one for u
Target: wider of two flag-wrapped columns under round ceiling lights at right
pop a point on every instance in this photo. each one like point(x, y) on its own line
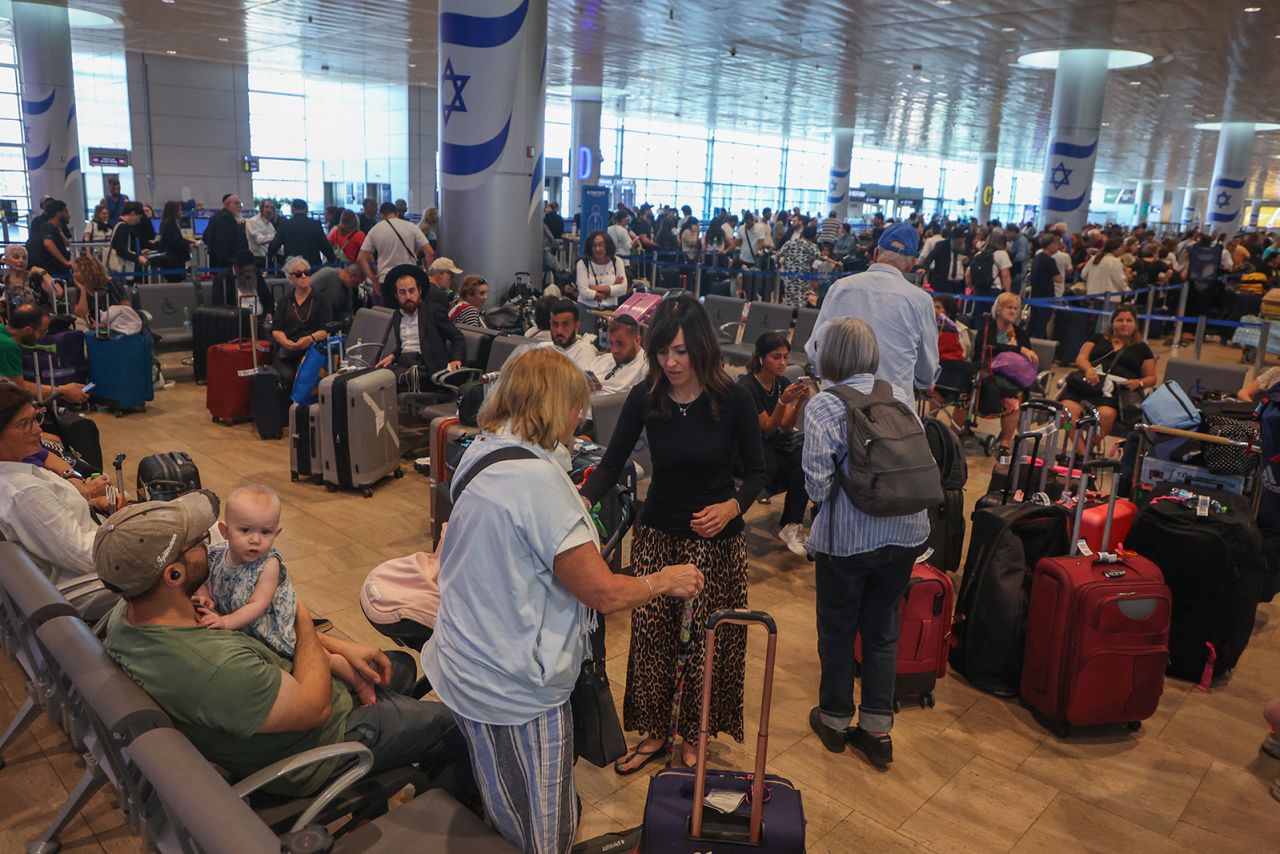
point(1080, 88)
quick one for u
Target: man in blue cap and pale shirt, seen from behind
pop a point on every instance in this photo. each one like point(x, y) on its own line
point(898, 312)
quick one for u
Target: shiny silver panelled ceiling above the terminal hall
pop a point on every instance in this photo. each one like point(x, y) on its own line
point(921, 77)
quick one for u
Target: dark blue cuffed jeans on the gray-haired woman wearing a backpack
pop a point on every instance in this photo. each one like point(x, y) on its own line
point(861, 595)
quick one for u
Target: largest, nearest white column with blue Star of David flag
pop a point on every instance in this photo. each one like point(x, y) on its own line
point(493, 101)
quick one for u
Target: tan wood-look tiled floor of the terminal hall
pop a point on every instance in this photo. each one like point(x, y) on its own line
point(973, 774)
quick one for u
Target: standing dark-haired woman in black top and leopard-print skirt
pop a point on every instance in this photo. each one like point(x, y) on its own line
point(694, 418)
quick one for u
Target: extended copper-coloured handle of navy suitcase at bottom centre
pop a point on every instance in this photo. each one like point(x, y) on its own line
point(735, 618)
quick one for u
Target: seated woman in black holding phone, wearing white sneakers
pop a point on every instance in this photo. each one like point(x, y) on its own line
point(778, 405)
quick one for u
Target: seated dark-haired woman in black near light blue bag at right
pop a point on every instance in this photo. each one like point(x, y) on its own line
point(1119, 354)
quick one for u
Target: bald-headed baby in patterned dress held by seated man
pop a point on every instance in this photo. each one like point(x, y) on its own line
point(249, 588)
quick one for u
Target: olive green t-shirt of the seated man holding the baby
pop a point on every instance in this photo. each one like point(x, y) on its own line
point(220, 687)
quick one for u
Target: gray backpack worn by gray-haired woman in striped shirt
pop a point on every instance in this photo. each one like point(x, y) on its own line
point(889, 469)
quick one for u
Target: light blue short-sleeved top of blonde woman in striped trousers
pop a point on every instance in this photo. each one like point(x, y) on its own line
point(510, 638)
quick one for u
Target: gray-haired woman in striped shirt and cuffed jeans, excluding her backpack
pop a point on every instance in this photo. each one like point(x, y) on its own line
point(863, 564)
